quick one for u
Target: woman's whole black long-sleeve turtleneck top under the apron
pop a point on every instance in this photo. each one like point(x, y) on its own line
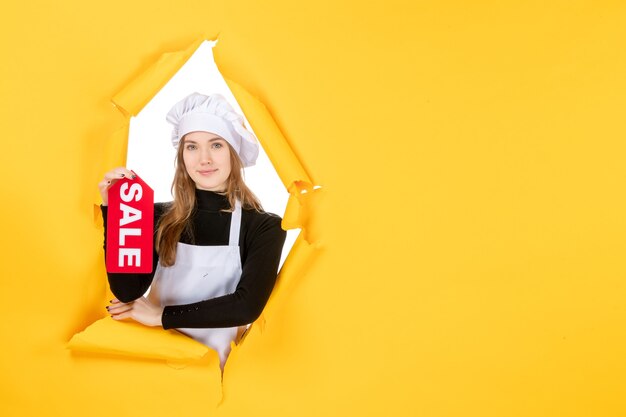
point(261, 240)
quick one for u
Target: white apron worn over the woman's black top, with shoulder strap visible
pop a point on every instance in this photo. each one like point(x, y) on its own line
point(201, 273)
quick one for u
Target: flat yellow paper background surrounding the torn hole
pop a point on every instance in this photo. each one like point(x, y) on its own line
point(471, 159)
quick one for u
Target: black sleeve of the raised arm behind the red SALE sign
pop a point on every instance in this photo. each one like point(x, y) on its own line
point(129, 287)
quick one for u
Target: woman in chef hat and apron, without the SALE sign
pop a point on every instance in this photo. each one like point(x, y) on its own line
point(216, 251)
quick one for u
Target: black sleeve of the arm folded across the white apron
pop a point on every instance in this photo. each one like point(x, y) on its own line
point(255, 286)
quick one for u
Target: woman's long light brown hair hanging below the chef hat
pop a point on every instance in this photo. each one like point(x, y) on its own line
point(176, 218)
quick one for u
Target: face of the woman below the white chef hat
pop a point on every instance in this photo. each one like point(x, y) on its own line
point(207, 160)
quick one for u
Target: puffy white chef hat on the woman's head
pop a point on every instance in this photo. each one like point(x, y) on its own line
point(213, 114)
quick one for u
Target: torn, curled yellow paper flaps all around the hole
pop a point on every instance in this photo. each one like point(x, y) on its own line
point(106, 336)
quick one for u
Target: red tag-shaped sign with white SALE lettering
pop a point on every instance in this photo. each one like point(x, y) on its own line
point(130, 226)
